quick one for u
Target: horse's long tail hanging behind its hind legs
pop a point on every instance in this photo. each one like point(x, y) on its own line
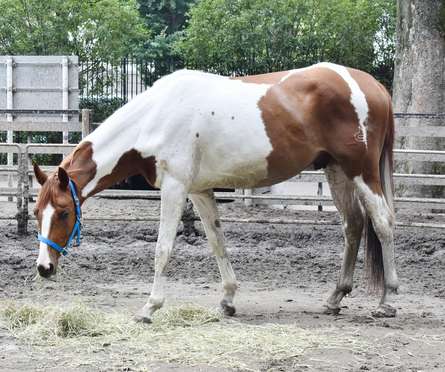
point(374, 258)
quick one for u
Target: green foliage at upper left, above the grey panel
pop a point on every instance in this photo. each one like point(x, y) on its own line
point(90, 29)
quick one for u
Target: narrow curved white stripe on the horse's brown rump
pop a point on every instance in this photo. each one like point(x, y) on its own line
point(358, 99)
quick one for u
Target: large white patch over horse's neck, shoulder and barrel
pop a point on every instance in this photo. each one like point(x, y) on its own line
point(232, 144)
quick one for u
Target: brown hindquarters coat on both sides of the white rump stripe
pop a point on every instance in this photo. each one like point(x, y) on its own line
point(310, 119)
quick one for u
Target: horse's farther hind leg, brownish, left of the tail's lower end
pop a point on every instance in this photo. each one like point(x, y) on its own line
point(348, 204)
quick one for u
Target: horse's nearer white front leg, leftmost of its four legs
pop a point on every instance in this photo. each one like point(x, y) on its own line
point(173, 196)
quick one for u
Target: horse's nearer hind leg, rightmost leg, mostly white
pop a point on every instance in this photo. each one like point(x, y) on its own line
point(382, 249)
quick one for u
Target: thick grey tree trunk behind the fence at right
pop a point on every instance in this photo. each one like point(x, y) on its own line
point(419, 80)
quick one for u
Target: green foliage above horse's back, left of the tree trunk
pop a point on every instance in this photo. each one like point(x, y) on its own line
point(254, 36)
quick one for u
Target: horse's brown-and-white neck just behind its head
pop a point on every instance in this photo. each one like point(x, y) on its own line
point(104, 157)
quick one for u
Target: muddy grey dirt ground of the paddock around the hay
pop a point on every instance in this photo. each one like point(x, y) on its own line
point(285, 272)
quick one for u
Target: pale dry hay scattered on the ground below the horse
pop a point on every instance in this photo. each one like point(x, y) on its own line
point(186, 334)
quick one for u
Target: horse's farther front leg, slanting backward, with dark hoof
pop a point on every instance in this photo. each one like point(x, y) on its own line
point(206, 205)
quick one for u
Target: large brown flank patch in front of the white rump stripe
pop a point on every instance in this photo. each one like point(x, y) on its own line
point(308, 118)
